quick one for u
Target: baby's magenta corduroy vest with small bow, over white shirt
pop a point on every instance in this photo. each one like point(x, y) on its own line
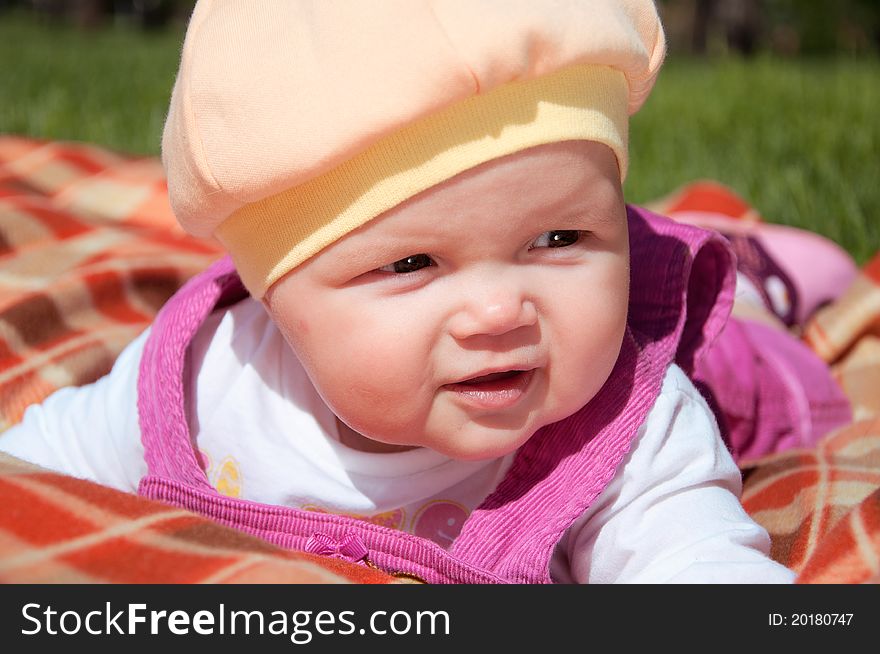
point(682, 284)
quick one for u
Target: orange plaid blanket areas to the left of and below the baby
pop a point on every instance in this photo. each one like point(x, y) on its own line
point(89, 251)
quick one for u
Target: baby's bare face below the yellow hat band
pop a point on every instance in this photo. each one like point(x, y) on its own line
point(473, 314)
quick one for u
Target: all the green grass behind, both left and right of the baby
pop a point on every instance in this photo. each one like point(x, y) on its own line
point(800, 140)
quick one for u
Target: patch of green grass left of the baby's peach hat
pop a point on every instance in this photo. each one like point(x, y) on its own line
point(108, 86)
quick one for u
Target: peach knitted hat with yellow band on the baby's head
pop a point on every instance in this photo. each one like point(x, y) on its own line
point(294, 122)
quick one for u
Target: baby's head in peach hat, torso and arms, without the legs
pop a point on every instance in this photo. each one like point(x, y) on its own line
point(443, 344)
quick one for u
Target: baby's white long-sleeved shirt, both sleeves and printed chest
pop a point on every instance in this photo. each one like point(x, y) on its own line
point(670, 514)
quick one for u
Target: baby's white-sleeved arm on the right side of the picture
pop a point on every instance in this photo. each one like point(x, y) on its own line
point(672, 513)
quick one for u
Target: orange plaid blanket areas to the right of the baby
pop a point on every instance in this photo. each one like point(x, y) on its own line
point(821, 506)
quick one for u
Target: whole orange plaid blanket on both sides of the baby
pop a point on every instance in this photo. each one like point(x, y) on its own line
point(89, 251)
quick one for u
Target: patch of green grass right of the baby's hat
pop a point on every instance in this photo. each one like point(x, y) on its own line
point(799, 140)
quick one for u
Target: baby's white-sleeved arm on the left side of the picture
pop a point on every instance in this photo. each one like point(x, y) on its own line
point(89, 431)
